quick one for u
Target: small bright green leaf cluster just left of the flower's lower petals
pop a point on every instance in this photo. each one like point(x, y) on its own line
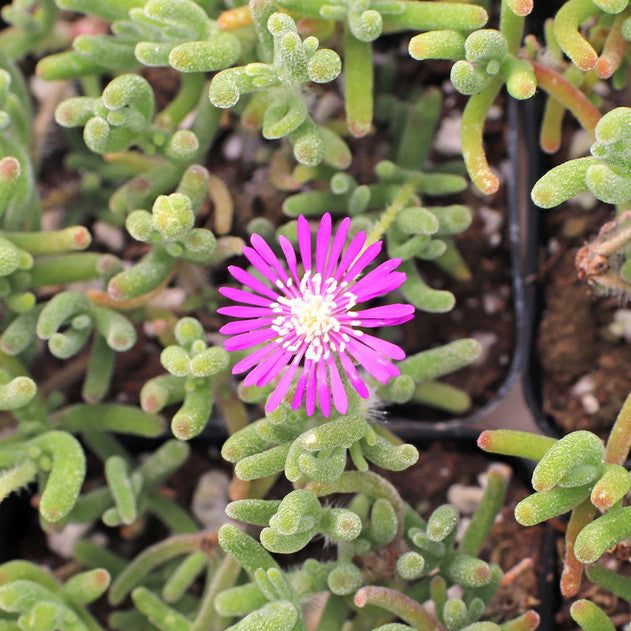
point(196, 371)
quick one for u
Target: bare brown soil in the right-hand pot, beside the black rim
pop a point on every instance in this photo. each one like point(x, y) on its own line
point(582, 362)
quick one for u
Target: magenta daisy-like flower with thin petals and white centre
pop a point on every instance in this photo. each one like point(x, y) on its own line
point(308, 319)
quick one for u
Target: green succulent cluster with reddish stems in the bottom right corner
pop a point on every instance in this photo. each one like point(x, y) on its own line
point(578, 473)
